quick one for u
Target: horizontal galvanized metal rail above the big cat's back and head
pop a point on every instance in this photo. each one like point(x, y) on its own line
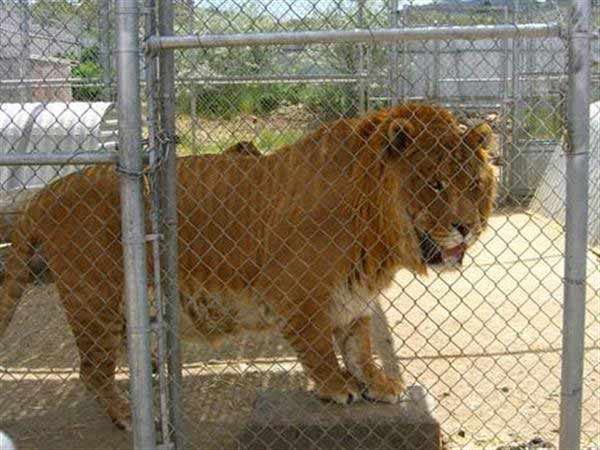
point(471, 32)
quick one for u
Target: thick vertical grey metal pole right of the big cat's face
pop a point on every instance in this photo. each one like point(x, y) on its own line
point(578, 122)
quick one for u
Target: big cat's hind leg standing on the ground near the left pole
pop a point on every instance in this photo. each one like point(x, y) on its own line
point(97, 321)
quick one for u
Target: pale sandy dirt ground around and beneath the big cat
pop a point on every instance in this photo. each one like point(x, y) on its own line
point(485, 343)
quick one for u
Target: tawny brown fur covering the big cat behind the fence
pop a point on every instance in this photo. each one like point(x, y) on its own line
point(303, 238)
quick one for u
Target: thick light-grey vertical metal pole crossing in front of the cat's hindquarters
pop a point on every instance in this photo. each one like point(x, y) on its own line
point(132, 223)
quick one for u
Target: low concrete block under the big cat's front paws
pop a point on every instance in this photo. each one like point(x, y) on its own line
point(297, 420)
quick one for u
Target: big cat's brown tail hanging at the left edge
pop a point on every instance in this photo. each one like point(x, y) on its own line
point(16, 269)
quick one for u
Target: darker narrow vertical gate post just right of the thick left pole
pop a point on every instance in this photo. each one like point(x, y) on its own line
point(168, 178)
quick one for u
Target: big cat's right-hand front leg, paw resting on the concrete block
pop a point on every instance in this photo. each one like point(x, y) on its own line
point(354, 341)
